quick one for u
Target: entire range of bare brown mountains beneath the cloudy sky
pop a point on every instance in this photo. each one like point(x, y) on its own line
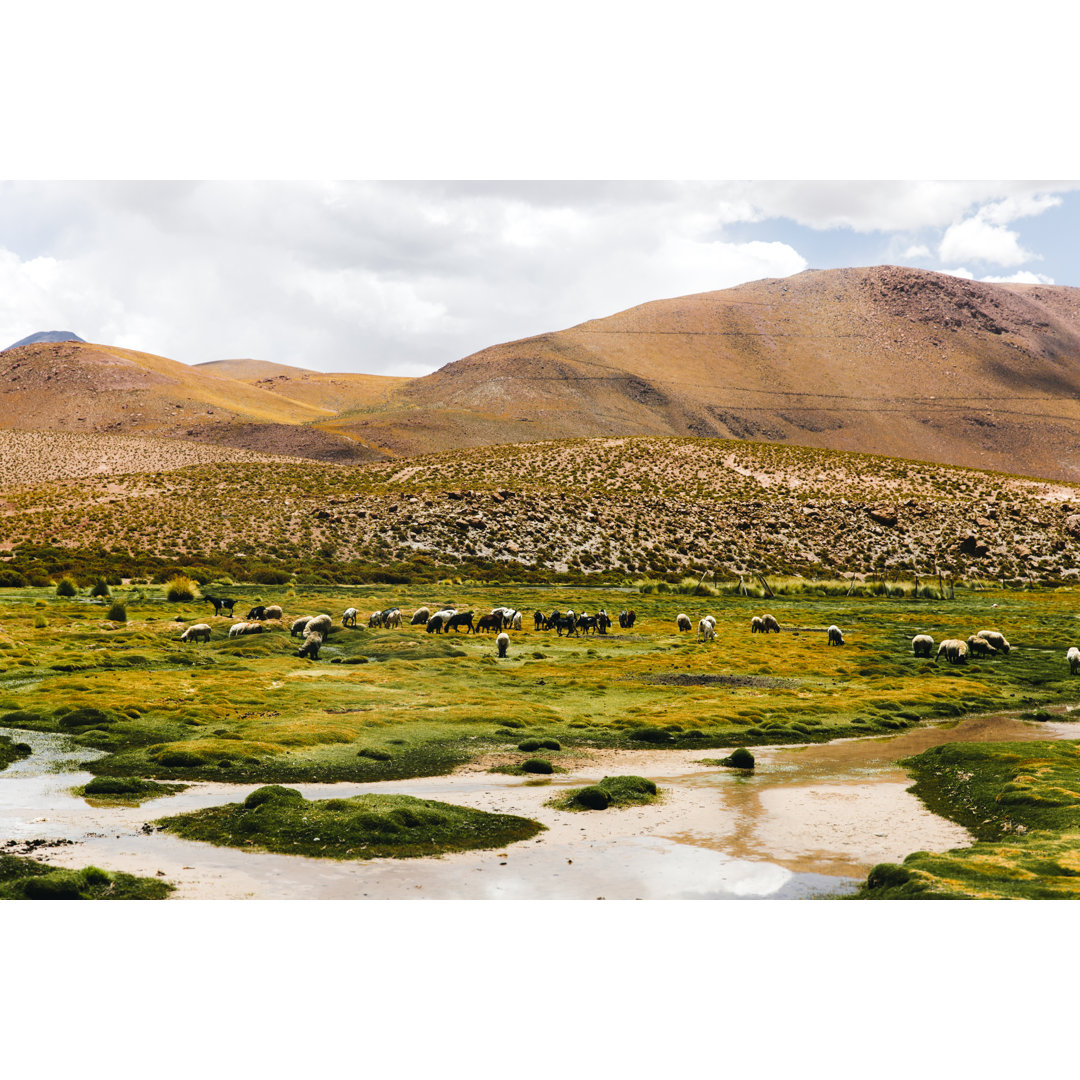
point(884, 360)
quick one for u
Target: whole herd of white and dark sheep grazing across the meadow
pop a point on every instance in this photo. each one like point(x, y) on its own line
point(314, 630)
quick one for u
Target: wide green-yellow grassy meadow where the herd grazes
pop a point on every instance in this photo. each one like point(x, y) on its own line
point(397, 704)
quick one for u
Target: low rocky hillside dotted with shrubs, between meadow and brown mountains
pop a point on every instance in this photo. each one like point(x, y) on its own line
point(626, 507)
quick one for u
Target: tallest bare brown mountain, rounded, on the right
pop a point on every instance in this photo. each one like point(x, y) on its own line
point(884, 360)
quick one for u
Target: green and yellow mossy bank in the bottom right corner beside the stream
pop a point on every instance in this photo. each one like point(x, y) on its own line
point(1022, 803)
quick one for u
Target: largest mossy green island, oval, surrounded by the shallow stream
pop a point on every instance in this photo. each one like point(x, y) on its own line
point(366, 827)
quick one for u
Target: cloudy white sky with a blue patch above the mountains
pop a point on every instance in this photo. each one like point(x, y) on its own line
point(400, 278)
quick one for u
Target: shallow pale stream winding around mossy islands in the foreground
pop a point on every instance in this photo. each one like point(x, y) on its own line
point(809, 822)
